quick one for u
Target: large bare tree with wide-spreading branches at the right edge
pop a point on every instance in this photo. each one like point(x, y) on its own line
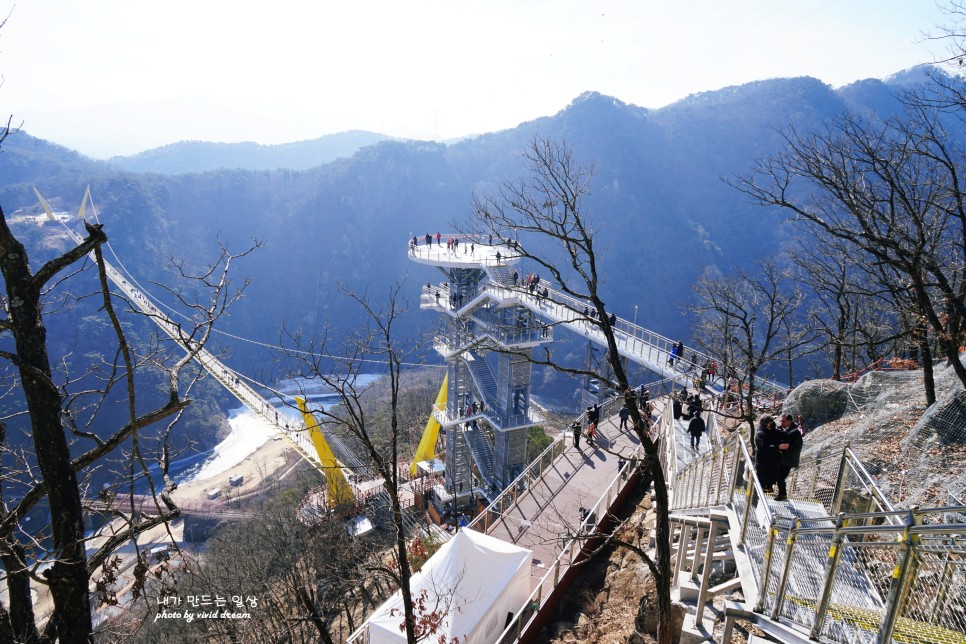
point(892, 192)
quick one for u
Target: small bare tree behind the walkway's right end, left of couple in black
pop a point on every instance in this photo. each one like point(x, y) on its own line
point(749, 320)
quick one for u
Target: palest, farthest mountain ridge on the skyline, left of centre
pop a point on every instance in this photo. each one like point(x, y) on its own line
point(200, 156)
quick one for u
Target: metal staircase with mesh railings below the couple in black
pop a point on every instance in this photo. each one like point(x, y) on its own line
point(836, 562)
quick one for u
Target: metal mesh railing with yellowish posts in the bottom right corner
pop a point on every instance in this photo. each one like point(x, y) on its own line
point(880, 576)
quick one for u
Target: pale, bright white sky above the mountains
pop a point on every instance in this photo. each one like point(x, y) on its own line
point(116, 77)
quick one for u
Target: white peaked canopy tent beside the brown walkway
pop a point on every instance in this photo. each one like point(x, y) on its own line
point(474, 582)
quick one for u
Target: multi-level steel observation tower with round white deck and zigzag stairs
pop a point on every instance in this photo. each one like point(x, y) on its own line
point(486, 337)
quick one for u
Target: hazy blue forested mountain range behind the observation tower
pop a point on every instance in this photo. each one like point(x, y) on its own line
point(661, 209)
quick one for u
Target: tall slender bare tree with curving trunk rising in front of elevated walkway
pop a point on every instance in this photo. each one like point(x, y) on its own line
point(545, 216)
